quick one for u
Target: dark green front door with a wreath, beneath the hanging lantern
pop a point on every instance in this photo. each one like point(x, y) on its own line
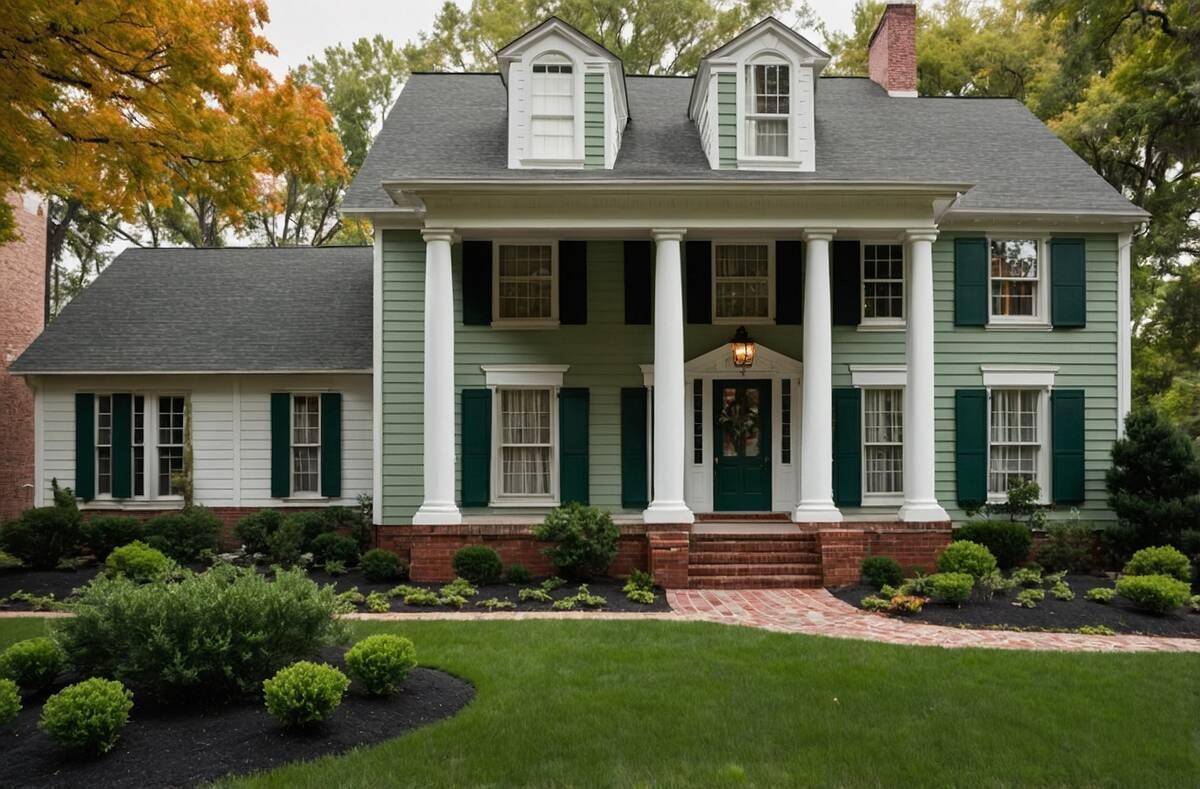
point(741, 447)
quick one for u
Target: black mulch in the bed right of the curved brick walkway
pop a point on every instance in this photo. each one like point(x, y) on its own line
point(1051, 615)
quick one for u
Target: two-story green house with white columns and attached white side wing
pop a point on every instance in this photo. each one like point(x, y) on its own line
point(824, 315)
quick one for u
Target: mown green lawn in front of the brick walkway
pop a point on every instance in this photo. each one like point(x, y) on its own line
point(575, 703)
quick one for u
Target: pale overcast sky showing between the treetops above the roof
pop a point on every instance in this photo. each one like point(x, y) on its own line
point(304, 28)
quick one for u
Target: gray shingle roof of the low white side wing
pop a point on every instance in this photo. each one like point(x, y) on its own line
point(215, 310)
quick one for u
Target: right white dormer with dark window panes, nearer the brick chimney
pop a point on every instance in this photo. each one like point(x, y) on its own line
point(753, 100)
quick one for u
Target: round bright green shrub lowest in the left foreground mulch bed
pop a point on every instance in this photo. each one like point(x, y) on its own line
point(88, 716)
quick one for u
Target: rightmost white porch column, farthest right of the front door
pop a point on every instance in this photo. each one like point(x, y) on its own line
point(920, 499)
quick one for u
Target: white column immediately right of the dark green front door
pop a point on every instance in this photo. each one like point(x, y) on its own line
point(817, 407)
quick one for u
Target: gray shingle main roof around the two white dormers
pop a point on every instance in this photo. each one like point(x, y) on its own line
point(454, 127)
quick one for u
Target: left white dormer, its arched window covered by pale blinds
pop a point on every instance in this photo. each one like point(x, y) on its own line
point(567, 100)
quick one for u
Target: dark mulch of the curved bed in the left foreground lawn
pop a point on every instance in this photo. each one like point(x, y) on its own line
point(183, 746)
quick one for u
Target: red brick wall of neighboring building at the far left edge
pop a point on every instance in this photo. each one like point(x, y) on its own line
point(22, 309)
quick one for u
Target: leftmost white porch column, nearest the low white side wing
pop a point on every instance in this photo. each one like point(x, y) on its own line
point(439, 507)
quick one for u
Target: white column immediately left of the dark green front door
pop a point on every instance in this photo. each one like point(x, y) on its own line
point(670, 420)
